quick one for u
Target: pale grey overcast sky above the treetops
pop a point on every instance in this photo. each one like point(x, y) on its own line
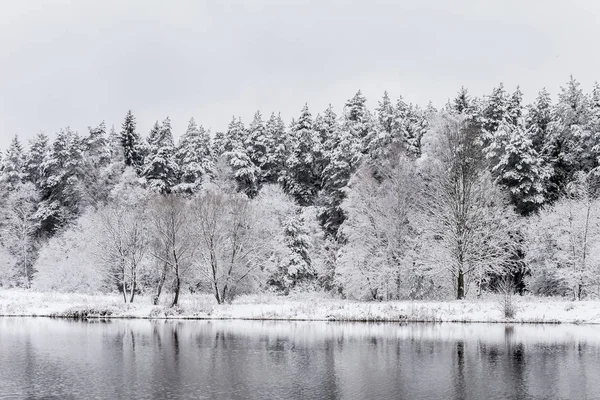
point(76, 63)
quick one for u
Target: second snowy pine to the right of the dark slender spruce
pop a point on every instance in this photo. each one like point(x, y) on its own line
point(194, 157)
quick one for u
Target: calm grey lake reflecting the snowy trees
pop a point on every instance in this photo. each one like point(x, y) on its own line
point(143, 359)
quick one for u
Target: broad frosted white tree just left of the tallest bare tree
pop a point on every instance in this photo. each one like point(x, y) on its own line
point(378, 260)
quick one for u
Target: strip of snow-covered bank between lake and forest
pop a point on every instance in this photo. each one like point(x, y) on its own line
point(299, 307)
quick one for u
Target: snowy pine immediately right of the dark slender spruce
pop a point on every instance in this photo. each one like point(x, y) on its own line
point(160, 168)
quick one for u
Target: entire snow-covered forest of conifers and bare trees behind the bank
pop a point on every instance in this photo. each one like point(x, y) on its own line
point(373, 201)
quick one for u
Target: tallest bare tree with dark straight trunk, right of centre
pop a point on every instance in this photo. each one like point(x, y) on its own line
point(467, 217)
